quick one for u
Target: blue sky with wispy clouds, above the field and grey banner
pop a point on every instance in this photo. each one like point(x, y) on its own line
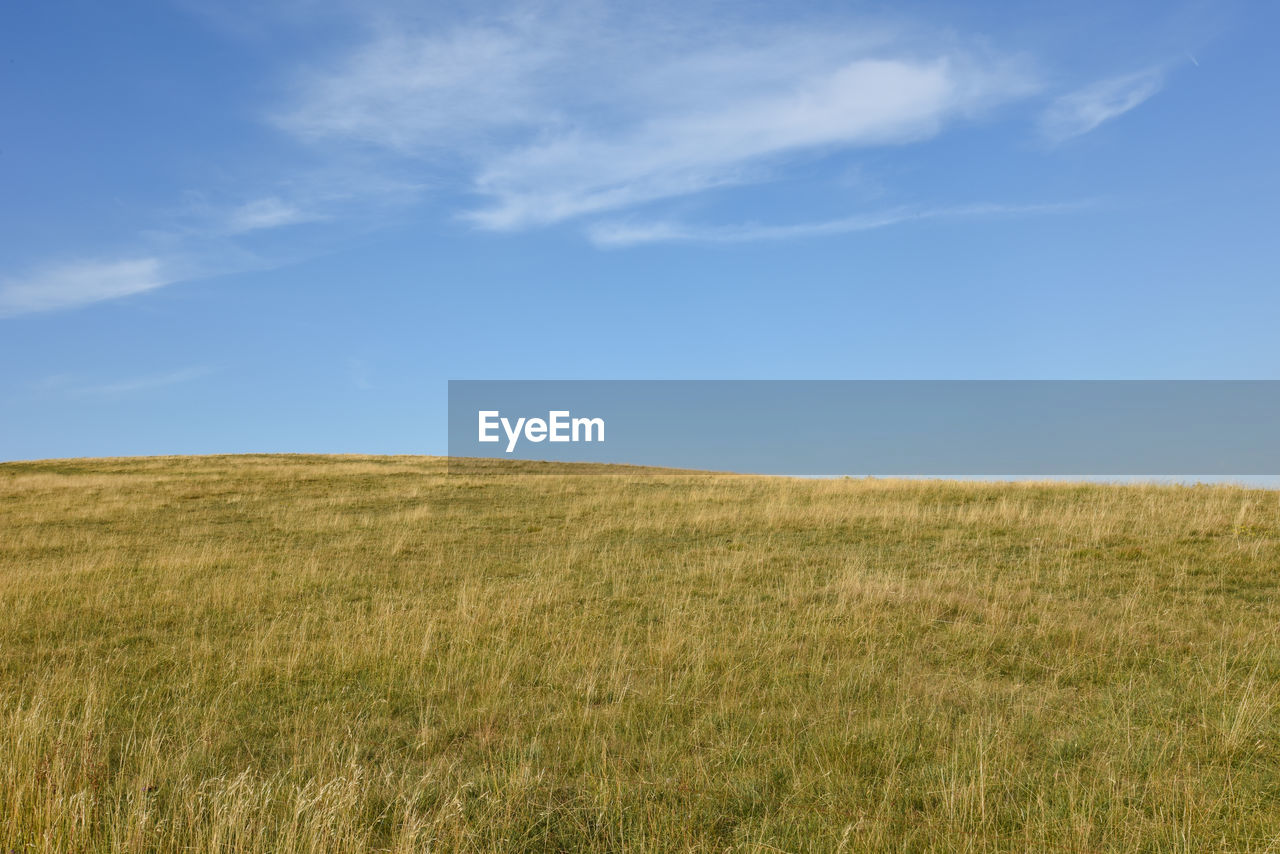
point(284, 226)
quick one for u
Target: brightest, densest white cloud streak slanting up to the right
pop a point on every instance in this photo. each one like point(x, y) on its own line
point(862, 103)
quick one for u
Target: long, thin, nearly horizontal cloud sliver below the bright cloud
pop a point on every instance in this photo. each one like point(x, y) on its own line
point(621, 235)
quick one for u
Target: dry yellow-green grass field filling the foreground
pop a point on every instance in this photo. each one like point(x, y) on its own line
point(363, 654)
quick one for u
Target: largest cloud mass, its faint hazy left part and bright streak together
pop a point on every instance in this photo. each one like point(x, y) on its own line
point(563, 118)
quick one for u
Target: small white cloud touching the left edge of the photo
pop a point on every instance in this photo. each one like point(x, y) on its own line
point(83, 284)
